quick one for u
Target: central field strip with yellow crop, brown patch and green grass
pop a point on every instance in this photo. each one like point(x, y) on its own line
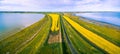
point(53, 45)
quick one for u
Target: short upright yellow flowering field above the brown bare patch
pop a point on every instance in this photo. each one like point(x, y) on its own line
point(55, 18)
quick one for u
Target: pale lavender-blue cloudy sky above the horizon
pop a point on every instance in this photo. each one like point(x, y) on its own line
point(59, 5)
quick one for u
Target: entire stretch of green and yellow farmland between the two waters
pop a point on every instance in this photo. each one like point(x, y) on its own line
point(54, 34)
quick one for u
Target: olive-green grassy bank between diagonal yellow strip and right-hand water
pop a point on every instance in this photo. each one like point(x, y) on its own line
point(107, 31)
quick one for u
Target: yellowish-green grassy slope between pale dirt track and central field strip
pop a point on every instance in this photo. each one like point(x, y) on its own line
point(38, 42)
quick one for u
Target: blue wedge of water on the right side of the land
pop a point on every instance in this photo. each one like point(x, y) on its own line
point(108, 17)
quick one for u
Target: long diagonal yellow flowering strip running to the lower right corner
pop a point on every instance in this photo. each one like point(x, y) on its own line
point(94, 38)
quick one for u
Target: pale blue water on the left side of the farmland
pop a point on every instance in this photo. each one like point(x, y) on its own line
point(9, 21)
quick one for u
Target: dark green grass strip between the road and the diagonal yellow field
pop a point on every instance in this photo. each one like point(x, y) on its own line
point(80, 44)
